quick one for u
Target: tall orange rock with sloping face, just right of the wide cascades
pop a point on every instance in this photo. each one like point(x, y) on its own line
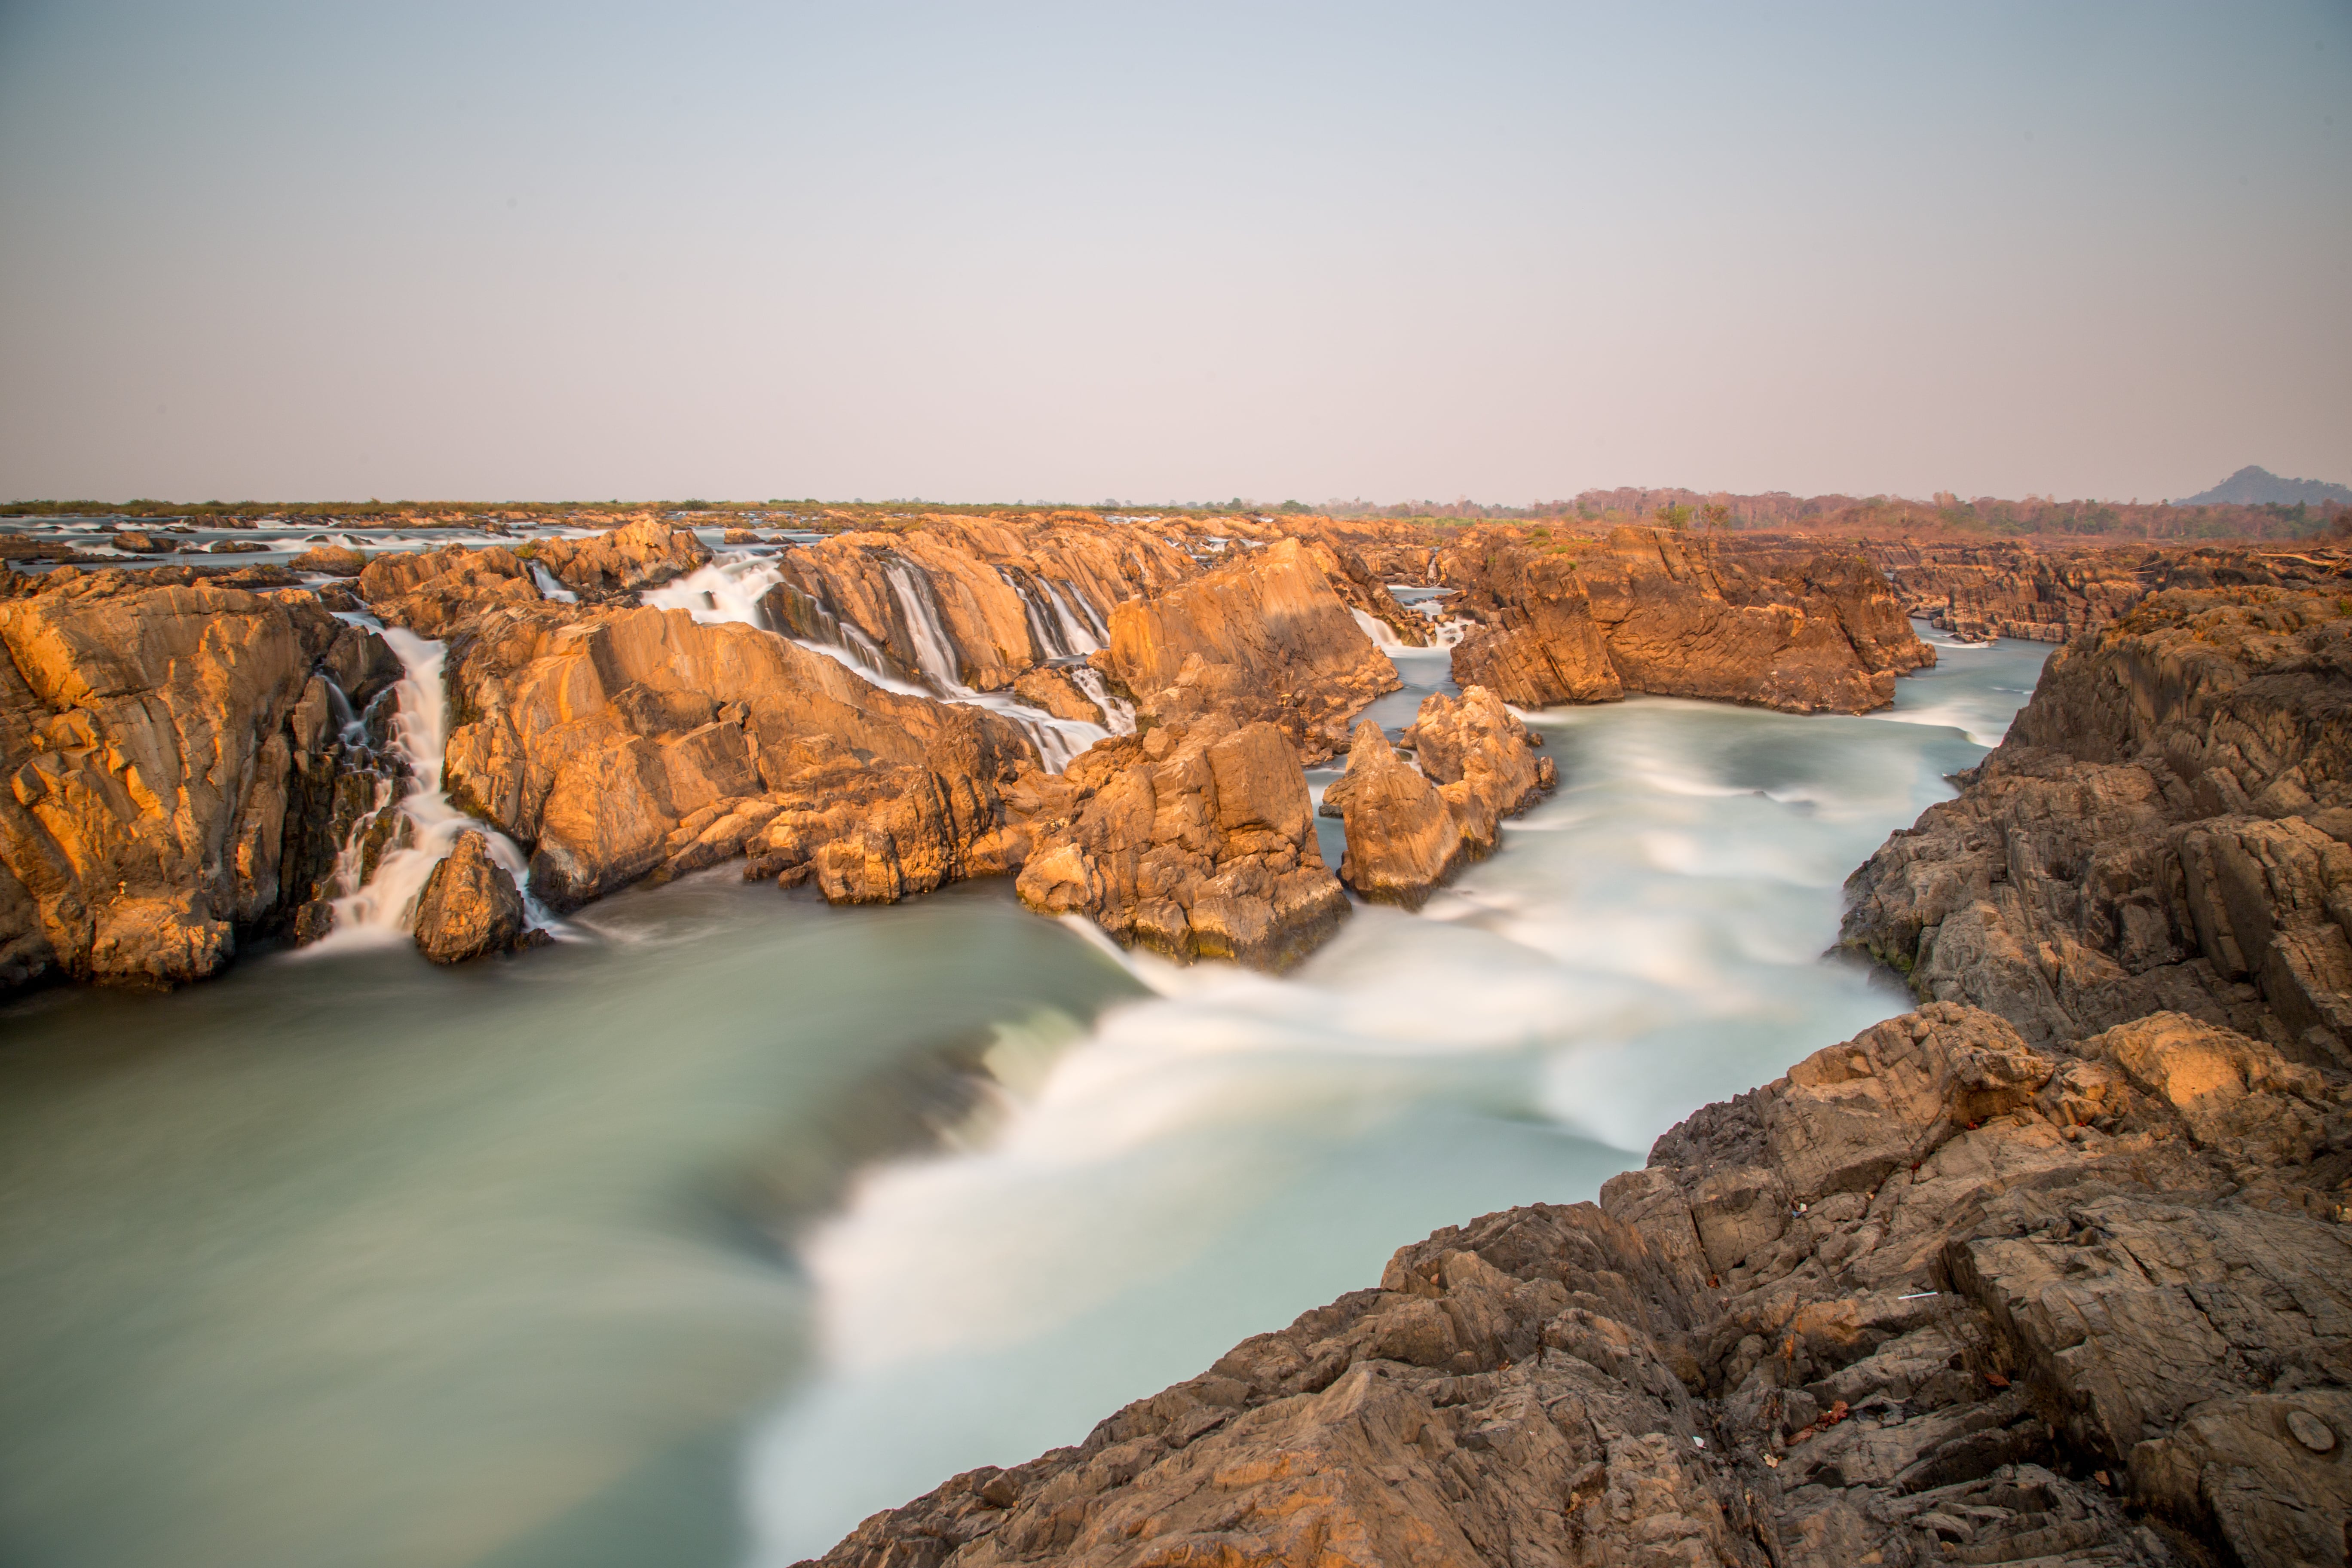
point(1259, 641)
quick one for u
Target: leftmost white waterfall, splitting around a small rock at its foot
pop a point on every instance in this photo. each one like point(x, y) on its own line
point(385, 911)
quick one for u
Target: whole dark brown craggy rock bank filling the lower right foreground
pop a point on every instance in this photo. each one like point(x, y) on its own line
point(2064, 1278)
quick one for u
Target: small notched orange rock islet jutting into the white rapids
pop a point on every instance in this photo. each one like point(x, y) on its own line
point(1410, 829)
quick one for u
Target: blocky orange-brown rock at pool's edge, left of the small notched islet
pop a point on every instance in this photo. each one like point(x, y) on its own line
point(1191, 840)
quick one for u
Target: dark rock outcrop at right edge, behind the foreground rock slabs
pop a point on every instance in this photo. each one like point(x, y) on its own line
point(2163, 829)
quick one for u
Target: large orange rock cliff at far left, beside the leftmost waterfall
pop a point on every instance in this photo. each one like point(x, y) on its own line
point(168, 749)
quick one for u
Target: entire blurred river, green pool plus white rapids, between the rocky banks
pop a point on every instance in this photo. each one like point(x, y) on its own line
point(707, 1235)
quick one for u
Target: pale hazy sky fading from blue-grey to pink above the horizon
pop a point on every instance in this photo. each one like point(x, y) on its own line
point(1170, 253)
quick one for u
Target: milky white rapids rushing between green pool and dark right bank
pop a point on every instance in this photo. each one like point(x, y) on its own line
point(1212, 1160)
